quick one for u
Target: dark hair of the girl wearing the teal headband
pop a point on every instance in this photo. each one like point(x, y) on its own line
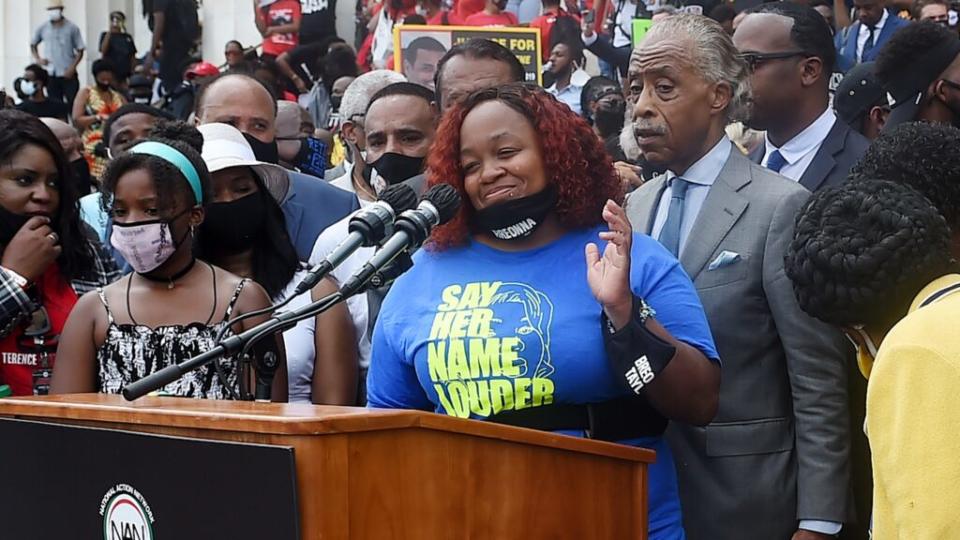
point(173, 189)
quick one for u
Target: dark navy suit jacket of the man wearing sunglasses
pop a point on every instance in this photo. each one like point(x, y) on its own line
point(840, 151)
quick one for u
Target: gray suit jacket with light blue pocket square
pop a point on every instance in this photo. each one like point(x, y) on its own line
point(778, 449)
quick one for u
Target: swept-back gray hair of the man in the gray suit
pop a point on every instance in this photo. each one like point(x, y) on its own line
point(713, 55)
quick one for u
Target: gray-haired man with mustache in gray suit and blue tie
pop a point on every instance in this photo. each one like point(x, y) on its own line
point(774, 463)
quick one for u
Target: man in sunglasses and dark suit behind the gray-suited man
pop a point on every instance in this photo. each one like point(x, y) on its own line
point(788, 49)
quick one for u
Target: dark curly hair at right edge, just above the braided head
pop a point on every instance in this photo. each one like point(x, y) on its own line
point(923, 156)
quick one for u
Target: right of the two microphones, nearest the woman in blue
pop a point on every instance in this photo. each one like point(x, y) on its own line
point(439, 204)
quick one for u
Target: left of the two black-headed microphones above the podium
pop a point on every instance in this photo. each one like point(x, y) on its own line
point(367, 228)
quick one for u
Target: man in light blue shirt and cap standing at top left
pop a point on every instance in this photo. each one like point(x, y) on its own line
point(63, 50)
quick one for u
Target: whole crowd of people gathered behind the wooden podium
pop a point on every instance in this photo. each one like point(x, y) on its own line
point(736, 244)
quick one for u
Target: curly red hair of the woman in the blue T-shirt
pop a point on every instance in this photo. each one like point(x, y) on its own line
point(574, 159)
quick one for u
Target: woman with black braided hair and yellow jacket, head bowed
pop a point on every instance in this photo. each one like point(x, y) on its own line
point(873, 257)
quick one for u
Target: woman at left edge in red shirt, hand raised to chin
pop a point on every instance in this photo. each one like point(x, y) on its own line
point(46, 258)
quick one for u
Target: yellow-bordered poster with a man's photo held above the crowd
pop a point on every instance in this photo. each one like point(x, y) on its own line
point(419, 48)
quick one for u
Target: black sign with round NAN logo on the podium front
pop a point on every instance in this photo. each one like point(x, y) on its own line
point(60, 481)
